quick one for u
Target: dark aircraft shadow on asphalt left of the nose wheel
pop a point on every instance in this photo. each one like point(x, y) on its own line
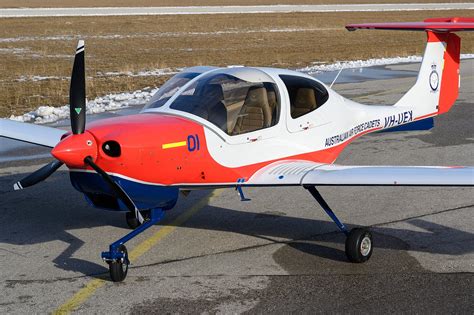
point(46, 213)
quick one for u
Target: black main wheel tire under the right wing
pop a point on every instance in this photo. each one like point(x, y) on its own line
point(359, 245)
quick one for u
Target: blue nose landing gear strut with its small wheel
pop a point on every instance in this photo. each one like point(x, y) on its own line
point(117, 256)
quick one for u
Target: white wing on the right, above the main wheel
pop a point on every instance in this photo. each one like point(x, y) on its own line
point(288, 173)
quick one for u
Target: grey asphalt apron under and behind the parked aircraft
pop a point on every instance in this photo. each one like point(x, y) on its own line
point(277, 253)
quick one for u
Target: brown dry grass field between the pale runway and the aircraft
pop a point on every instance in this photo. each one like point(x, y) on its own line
point(44, 47)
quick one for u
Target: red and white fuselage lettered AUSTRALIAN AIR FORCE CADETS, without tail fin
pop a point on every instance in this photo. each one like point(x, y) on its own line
point(175, 146)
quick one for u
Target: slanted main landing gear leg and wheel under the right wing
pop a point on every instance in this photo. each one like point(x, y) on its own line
point(359, 244)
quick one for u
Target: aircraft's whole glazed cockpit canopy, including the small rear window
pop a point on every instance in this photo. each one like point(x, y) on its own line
point(237, 100)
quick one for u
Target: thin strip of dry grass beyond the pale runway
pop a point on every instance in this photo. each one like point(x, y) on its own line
point(158, 3)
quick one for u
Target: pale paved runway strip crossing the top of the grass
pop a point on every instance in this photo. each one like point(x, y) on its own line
point(37, 12)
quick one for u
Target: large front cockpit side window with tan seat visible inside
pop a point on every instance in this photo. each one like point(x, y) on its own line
point(234, 105)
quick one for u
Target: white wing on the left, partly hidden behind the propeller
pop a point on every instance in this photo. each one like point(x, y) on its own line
point(41, 135)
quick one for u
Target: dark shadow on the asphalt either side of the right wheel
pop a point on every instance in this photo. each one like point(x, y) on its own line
point(295, 232)
